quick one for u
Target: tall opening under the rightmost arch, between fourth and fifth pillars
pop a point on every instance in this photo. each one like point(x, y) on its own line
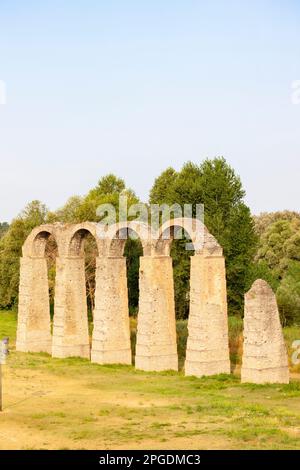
point(176, 242)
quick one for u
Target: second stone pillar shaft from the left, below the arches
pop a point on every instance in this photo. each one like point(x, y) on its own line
point(70, 325)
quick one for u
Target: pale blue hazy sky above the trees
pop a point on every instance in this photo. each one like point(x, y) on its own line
point(132, 87)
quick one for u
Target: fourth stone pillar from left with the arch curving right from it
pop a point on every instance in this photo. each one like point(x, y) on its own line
point(156, 347)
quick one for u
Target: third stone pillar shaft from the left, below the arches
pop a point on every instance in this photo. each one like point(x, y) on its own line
point(111, 335)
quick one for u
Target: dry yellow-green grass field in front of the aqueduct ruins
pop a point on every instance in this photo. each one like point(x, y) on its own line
point(73, 404)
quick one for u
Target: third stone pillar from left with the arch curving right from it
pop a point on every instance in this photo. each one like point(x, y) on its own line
point(111, 335)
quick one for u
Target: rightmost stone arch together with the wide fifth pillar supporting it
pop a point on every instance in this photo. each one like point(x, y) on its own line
point(207, 350)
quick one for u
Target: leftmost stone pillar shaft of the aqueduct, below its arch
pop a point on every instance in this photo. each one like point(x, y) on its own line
point(34, 332)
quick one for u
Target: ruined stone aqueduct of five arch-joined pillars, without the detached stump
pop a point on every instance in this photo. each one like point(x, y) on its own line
point(156, 349)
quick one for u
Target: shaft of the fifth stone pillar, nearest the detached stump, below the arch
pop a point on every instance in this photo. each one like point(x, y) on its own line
point(207, 346)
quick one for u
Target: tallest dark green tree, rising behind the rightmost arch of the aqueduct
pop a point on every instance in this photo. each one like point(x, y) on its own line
point(214, 184)
